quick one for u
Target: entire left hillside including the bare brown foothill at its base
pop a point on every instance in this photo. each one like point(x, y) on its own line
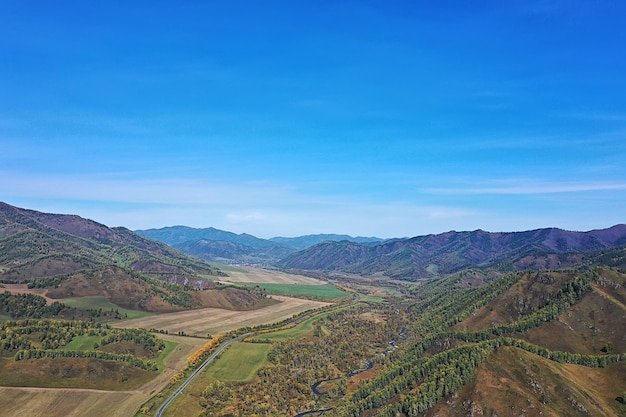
point(75, 257)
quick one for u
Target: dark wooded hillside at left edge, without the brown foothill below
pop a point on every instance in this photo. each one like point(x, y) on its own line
point(35, 244)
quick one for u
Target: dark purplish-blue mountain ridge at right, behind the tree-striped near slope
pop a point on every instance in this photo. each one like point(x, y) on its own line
point(431, 255)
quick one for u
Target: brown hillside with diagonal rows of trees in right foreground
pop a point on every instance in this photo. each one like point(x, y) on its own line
point(529, 344)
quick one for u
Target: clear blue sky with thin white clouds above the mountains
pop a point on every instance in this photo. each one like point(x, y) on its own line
point(288, 118)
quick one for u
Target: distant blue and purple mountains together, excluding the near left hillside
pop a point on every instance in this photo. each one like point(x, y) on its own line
point(405, 258)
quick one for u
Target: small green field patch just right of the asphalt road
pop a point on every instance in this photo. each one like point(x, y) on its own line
point(239, 362)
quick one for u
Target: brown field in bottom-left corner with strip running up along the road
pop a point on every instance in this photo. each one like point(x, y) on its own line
point(42, 402)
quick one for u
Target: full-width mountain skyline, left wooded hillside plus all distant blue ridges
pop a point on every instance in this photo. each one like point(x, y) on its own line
point(38, 244)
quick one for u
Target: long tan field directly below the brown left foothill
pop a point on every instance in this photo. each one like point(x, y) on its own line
point(214, 320)
